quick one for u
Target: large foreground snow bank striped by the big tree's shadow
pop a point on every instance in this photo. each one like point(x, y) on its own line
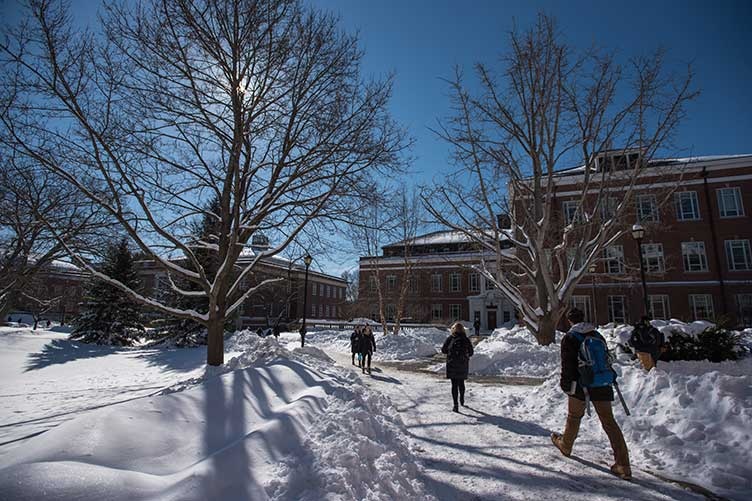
point(271, 424)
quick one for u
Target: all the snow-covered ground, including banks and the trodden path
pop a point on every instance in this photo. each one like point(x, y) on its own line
point(281, 422)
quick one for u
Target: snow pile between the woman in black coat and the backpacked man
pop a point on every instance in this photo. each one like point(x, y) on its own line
point(515, 352)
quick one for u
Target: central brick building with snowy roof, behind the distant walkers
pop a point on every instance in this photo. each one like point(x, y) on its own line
point(443, 286)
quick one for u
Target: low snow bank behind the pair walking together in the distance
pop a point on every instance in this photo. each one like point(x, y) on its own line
point(407, 345)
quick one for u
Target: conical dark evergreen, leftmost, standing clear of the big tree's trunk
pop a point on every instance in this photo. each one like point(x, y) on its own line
point(110, 316)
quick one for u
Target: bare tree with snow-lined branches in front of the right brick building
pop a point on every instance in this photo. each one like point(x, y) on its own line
point(549, 107)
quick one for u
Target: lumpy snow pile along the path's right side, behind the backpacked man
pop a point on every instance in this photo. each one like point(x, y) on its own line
point(692, 419)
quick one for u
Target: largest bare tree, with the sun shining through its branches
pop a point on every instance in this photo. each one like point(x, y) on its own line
point(259, 104)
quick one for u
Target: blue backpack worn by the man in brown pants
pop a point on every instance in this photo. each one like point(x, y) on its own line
point(594, 363)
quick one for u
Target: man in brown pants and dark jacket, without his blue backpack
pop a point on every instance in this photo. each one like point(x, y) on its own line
point(601, 397)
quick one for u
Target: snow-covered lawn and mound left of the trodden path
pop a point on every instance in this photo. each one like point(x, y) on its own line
point(270, 424)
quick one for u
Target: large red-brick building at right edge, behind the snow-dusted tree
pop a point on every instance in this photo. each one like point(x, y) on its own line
point(696, 248)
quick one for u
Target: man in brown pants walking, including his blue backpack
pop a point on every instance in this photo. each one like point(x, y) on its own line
point(581, 343)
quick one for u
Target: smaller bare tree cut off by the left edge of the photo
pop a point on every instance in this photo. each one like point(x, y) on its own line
point(29, 197)
